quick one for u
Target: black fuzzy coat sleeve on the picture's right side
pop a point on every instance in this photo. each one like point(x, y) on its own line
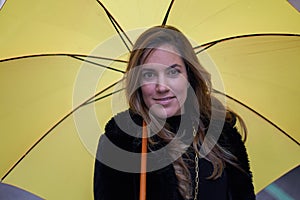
point(240, 180)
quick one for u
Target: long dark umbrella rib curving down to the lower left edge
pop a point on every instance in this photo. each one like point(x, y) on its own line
point(55, 125)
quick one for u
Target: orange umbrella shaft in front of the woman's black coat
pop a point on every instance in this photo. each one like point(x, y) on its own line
point(143, 163)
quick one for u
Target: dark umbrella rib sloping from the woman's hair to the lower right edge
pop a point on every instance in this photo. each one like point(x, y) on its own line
point(258, 114)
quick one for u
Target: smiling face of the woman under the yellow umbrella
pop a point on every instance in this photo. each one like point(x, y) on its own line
point(164, 82)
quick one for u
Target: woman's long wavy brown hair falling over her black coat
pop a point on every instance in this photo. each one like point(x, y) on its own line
point(200, 82)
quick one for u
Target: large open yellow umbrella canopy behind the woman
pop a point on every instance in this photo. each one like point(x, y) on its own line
point(253, 45)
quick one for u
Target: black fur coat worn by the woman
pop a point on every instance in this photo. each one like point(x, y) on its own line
point(114, 183)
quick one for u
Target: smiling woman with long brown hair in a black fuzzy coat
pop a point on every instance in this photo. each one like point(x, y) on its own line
point(194, 149)
